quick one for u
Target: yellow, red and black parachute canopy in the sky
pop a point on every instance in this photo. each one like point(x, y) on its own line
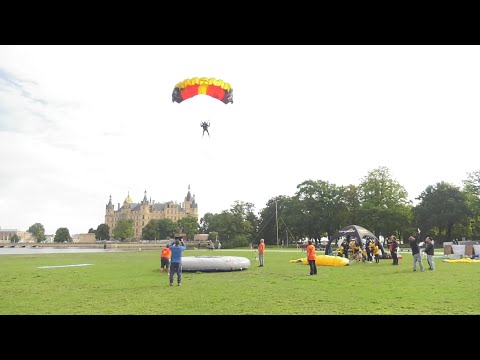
point(215, 88)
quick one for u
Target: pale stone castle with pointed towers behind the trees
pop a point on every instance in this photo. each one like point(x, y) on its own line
point(141, 213)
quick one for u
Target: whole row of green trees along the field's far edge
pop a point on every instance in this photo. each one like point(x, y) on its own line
point(319, 208)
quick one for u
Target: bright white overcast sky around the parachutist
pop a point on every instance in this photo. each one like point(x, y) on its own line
point(81, 123)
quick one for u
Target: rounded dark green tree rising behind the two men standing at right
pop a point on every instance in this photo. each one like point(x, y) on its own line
point(441, 207)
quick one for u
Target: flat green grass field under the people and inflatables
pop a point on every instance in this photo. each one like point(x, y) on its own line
point(130, 283)
